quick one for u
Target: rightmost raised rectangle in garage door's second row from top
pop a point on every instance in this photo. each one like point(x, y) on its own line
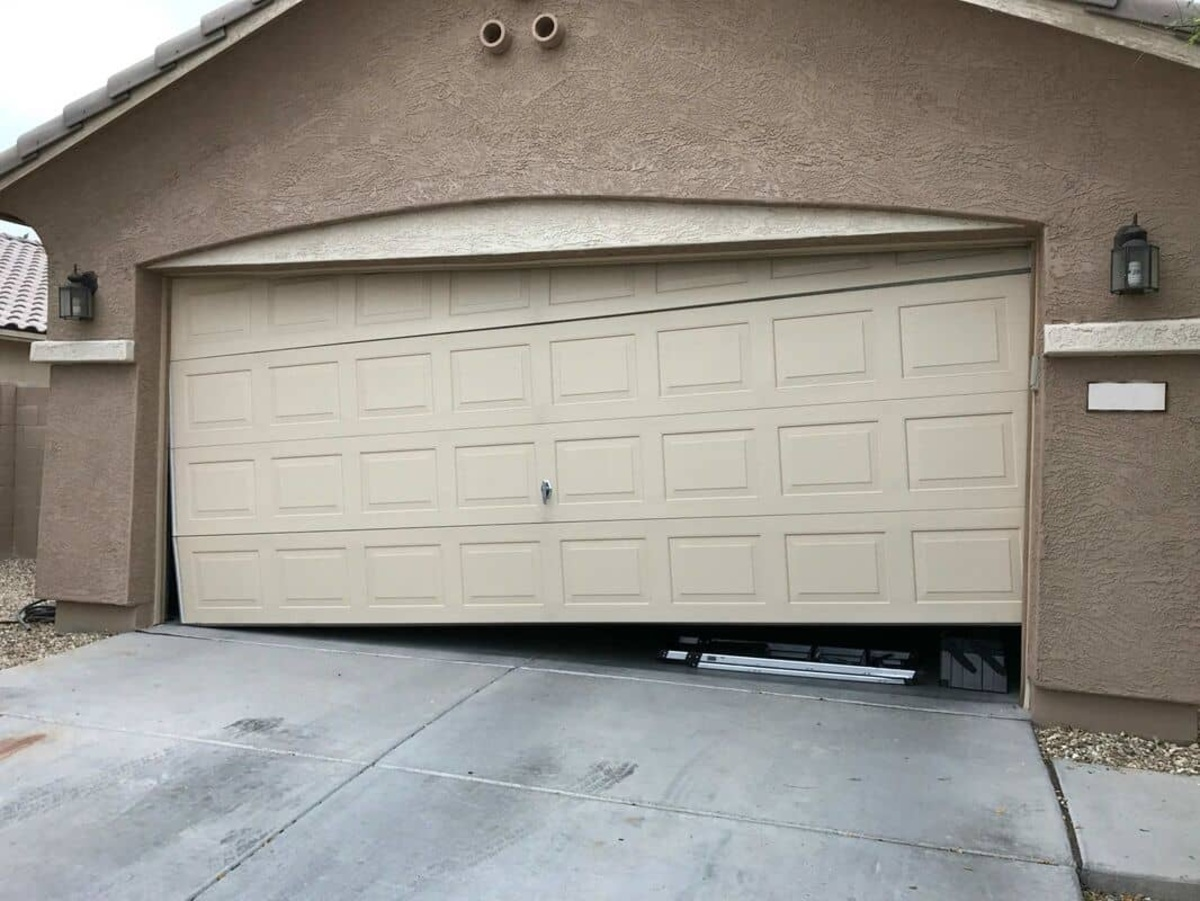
point(953, 339)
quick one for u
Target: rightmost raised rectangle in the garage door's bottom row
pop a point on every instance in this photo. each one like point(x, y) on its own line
point(968, 566)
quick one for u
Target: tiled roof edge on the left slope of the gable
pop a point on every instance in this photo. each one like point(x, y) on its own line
point(175, 59)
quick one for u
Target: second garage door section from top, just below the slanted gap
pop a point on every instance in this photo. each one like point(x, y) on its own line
point(803, 352)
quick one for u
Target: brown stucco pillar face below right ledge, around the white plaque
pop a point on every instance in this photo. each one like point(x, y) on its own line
point(1119, 610)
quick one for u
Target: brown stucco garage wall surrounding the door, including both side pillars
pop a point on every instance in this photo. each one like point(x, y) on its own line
point(349, 109)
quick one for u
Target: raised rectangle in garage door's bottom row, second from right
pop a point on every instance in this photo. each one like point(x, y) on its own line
point(837, 569)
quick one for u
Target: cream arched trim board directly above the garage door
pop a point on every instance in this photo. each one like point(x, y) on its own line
point(506, 229)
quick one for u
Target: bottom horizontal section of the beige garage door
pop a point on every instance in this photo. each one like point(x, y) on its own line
point(937, 567)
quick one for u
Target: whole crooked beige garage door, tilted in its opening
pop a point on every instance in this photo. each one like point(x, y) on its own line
point(791, 440)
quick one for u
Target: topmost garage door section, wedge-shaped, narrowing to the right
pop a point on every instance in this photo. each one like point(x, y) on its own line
point(236, 316)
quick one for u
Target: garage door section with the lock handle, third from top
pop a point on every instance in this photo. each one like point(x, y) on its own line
point(952, 453)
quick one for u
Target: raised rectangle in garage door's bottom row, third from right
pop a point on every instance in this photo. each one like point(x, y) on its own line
point(713, 570)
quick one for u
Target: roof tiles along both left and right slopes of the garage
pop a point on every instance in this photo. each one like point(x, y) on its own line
point(1159, 20)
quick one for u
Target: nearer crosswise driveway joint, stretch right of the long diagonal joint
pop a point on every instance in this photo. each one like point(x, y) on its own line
point(722, 815)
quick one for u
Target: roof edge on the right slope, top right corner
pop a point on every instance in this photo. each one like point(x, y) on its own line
point(1070, 16)
